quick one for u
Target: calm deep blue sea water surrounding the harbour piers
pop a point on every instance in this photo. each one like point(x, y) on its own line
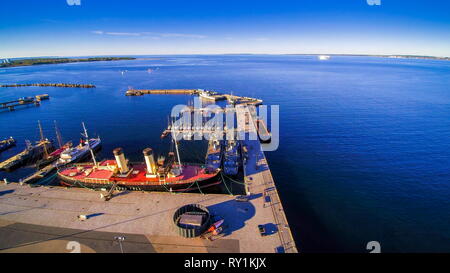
point(364, 152)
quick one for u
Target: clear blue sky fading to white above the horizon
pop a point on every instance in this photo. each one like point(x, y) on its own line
point(118, 27)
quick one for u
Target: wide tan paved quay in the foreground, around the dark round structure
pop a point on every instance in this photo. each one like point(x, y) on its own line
point(44, 219)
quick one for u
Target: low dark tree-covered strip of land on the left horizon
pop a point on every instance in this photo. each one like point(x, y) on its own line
point(40, 61)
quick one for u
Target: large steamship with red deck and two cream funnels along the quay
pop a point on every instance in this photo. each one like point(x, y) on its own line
point(161, 175)
